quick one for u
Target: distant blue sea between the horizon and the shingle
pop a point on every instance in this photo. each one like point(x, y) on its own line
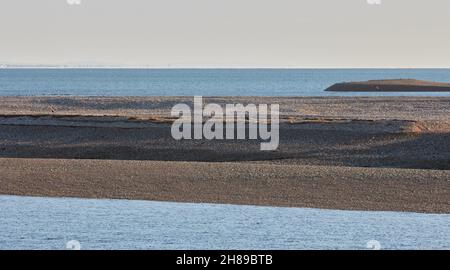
point(206, 82)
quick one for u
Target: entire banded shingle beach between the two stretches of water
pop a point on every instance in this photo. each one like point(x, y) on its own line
point(338, 153)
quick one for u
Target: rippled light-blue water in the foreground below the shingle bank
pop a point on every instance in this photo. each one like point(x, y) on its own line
point(49, 223)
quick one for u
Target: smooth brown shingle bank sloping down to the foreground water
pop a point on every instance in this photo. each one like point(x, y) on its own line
point(232, 183)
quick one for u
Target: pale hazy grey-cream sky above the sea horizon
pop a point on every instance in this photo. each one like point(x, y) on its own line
point(226, 33)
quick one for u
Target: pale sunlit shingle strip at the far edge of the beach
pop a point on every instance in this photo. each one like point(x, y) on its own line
point(407, 108)
